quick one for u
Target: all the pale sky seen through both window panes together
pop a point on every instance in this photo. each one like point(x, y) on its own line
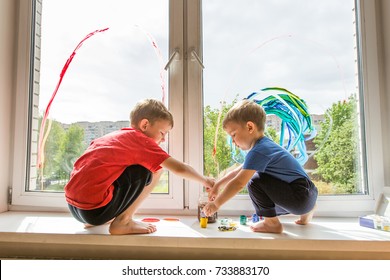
point(247, 45)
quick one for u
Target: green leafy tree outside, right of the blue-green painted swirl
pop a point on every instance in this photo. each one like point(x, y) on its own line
point(337, 145)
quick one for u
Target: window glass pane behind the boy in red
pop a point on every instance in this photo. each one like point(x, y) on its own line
point(106, 76)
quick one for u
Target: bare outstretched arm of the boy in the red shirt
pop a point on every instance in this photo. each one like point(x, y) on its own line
point(184, 170)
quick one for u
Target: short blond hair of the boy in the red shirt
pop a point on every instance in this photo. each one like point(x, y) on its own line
point(150, 109)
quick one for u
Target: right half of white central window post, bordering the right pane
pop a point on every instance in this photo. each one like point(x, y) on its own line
point(193, 101)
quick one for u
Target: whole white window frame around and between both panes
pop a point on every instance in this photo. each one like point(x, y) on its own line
point(187, 136)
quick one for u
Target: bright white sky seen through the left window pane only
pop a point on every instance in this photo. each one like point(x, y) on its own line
point(112, 70)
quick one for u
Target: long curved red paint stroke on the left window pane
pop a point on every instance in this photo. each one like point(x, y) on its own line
point(42, 140)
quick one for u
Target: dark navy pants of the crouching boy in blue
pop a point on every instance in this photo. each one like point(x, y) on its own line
point(272, 197)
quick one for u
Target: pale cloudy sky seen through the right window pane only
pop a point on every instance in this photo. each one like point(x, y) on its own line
point(309, 51)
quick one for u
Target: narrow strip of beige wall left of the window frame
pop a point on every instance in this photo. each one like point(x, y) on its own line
point(7, 35)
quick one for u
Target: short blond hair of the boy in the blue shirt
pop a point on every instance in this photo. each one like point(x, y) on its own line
point(246, 111)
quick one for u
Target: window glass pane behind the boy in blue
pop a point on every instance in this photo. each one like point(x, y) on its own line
point(308, 47)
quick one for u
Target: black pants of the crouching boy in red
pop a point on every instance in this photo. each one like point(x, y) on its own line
point(127, 189)
